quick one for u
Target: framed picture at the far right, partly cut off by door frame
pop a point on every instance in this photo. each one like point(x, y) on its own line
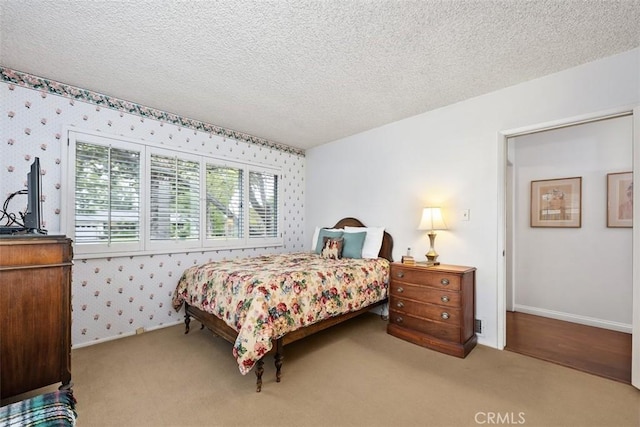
point(620, 199)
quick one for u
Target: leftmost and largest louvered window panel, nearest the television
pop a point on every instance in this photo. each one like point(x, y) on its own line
point(107, 194)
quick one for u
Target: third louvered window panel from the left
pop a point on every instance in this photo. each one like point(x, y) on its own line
point(224, 195)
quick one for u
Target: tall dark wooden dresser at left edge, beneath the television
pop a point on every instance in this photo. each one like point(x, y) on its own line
point(35, 312)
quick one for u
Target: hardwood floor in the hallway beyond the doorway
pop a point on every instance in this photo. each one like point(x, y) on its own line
point(594, 350)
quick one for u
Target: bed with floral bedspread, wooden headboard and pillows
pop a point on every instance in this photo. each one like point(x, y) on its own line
point(261, 304)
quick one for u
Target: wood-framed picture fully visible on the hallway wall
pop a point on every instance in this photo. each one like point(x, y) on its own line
point(556, 202)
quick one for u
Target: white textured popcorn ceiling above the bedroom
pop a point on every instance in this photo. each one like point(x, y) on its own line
point(303, 73)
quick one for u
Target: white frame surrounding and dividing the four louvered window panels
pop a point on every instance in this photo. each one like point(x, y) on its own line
point(145, 245)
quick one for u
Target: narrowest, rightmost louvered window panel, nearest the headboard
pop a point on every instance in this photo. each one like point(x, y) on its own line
point(263, 210)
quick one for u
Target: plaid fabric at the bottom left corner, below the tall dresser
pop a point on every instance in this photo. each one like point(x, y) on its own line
point(50, 410)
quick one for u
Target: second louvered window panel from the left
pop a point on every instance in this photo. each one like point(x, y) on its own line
point(174, 198)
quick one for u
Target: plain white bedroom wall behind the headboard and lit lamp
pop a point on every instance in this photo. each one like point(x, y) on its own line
point(450, 157)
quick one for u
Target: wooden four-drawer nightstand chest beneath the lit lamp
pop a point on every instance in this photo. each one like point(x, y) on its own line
point(433, 307)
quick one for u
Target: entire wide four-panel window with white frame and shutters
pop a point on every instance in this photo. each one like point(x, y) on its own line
point(130, 196)
